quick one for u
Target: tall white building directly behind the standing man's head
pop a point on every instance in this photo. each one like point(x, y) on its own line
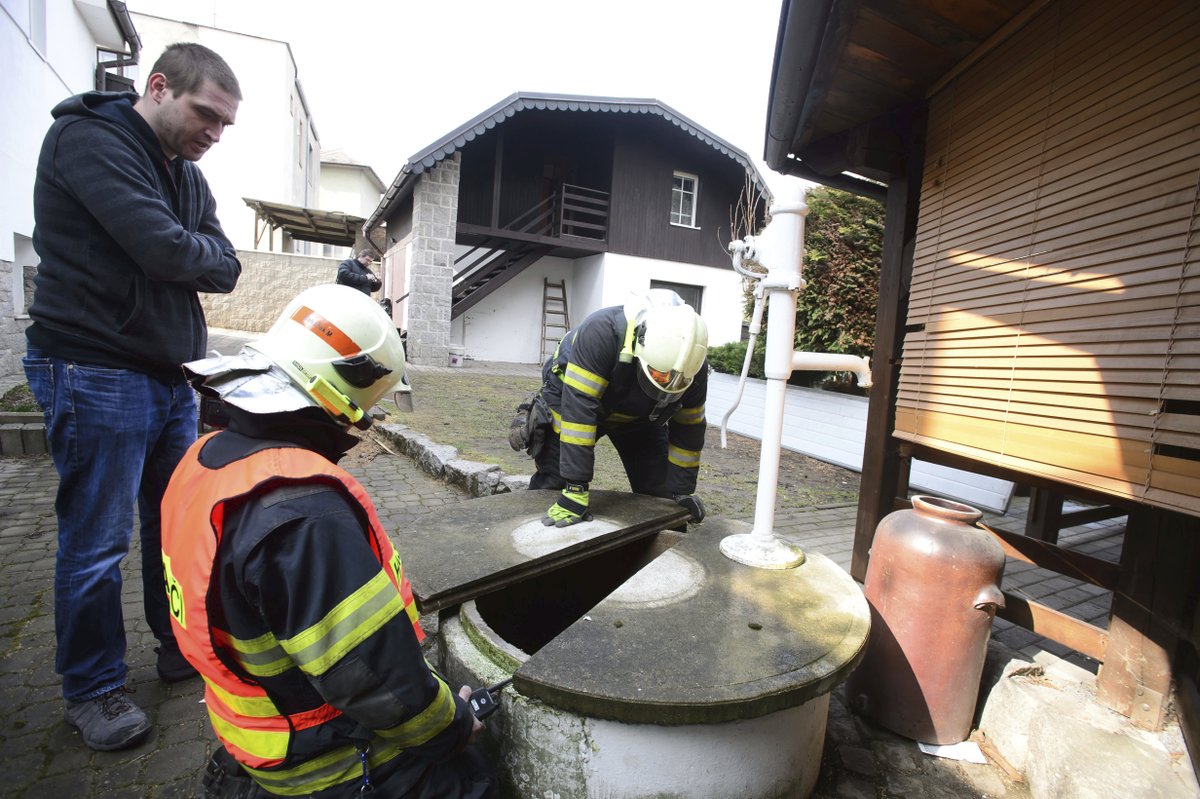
point(272, 153)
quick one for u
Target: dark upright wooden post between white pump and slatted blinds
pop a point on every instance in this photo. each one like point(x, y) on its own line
point(883, 464)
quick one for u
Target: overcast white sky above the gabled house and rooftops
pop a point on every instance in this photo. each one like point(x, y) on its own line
point(387, 79)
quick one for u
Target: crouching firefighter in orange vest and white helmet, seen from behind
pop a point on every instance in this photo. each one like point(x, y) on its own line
point(286, 593)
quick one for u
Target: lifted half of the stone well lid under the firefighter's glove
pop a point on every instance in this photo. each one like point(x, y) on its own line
point(460, 552)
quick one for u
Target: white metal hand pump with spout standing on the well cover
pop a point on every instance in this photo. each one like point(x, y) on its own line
point(781, 250)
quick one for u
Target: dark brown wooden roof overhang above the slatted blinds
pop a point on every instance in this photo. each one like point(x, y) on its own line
point(849, 75)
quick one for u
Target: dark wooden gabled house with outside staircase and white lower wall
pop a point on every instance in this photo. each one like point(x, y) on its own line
point(550, 201)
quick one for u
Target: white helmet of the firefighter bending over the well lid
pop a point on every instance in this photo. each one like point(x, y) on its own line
point(670, 344)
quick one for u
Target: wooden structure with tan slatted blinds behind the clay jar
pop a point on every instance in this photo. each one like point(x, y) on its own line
point(1040, 314)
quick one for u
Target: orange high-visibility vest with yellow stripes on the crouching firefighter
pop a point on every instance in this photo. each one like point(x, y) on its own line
point(243, 716)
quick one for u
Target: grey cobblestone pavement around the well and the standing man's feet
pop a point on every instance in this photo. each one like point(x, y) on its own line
point(43, 756)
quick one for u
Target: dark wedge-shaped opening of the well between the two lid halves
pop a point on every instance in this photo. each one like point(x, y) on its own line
point(532, 614)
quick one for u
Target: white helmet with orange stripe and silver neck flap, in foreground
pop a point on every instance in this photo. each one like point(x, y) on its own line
point(332, 347)
